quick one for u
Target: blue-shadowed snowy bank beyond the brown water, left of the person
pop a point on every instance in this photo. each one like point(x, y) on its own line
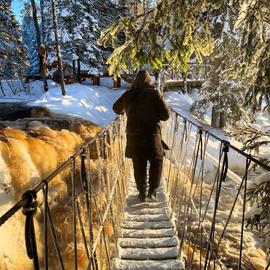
point(86, 101)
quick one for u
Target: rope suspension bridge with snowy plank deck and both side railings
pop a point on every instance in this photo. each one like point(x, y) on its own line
point(100, 224)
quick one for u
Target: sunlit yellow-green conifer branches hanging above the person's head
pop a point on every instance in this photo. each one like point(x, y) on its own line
point(169, 33)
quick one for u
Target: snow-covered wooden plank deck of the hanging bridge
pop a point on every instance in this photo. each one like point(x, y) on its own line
point(149, 238)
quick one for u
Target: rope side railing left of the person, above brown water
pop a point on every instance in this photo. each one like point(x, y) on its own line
point(80, 229)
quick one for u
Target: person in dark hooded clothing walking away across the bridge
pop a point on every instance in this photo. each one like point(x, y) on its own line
point(144, 108)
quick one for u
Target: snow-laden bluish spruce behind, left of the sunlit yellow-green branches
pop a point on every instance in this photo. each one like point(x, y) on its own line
point(79, 25)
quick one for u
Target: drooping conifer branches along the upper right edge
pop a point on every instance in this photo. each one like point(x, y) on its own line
point(253, 21)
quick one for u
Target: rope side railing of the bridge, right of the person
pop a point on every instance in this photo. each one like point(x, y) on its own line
point(207, 181)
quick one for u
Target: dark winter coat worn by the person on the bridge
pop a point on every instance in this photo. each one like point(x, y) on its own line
point(145, 109)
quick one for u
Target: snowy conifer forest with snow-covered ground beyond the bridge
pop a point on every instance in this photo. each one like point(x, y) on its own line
point(209, 58)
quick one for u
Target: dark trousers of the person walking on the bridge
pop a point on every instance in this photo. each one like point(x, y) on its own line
point(140, 174)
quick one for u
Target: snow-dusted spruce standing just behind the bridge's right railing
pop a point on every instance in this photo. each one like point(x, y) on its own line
point(223, 89)
